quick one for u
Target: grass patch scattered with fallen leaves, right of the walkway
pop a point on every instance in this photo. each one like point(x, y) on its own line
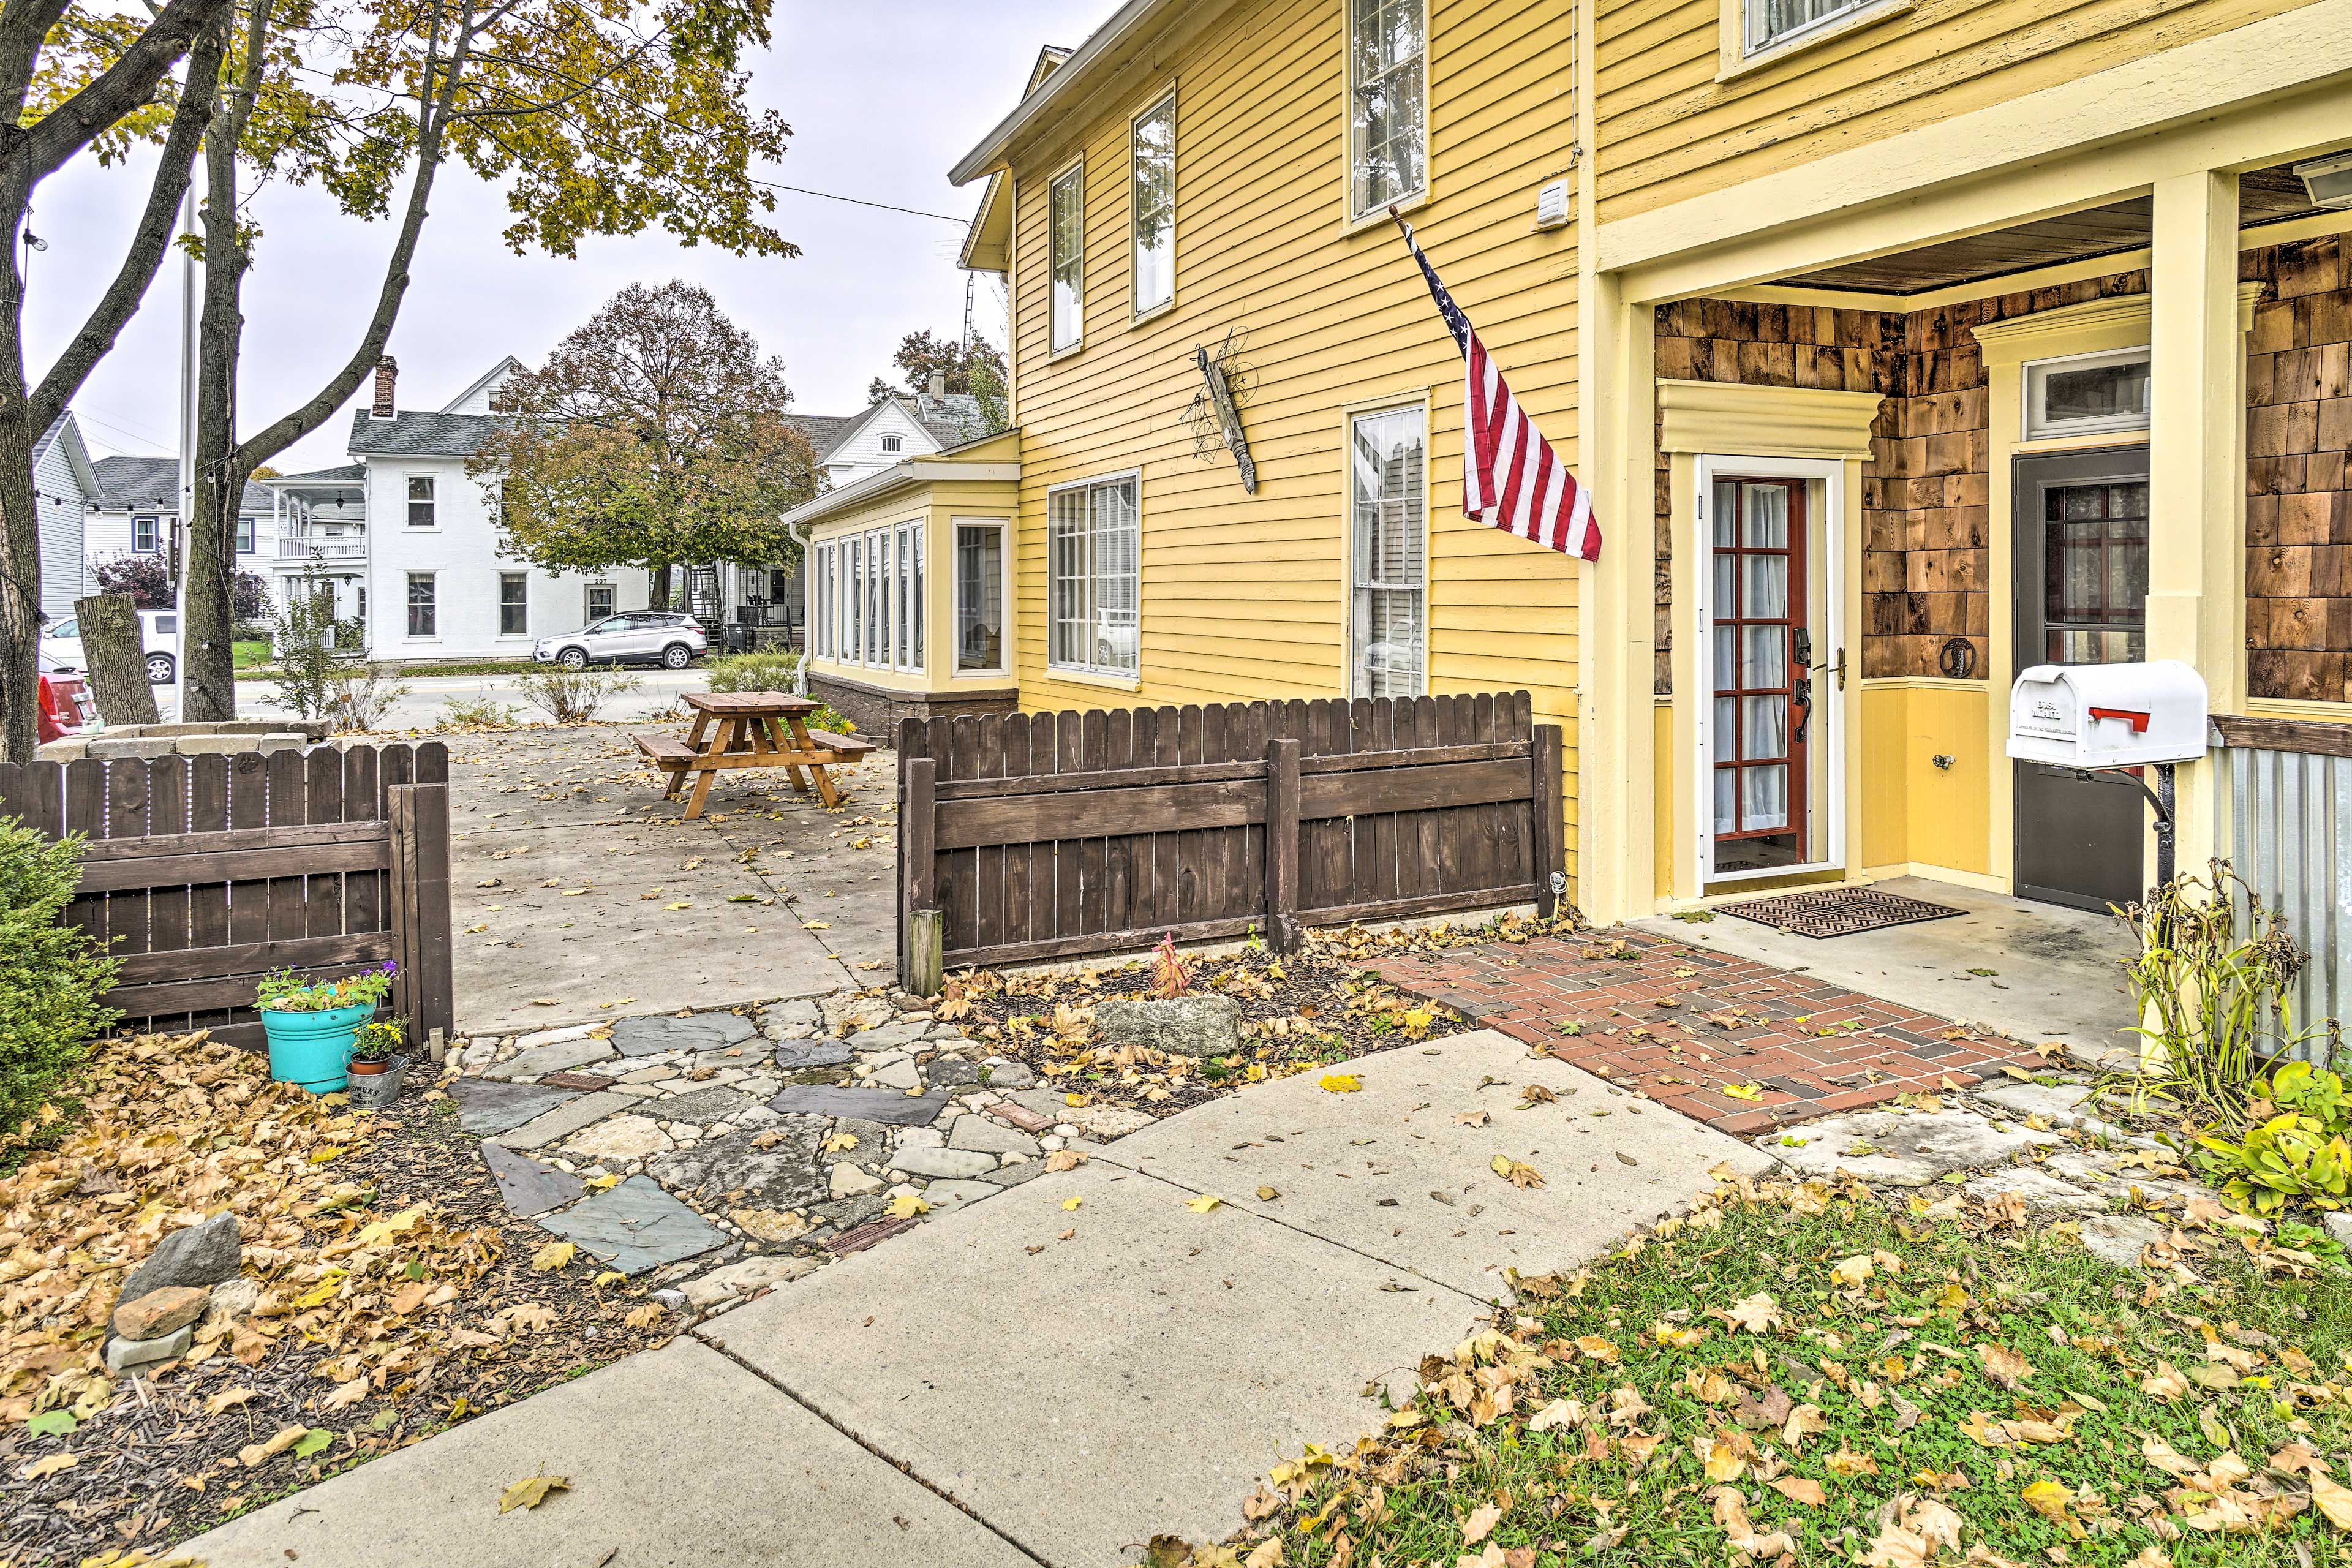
point(1826, 1376)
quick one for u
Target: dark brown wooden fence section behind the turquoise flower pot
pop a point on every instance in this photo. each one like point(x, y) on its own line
point(206, 873)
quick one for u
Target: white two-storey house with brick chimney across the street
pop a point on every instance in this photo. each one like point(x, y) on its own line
point(410, 542)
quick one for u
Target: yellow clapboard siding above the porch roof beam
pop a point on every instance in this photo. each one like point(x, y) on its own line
point(1669, 130)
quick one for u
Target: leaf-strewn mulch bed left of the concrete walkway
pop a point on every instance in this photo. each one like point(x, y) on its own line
point(392, 1299)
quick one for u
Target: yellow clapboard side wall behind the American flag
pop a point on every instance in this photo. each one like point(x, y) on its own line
point(1248, 596)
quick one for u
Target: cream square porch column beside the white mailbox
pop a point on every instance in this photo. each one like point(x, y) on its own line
point(2198, 467)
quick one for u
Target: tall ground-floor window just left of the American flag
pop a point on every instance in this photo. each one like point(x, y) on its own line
point(1389, 530)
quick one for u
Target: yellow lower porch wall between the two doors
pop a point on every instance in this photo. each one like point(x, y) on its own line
point(1913, 812)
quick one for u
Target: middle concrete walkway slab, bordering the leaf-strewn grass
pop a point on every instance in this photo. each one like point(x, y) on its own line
point(1085, 1395)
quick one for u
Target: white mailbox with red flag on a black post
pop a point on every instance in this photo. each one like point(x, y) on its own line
point(2109, 716)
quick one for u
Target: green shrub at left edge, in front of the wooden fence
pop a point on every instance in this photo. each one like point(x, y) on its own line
point(51, 979)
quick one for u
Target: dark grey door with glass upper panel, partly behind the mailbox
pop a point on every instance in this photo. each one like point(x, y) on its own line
point(2080, 601)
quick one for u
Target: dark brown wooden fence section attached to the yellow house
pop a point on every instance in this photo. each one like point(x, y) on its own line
point(1074, 833)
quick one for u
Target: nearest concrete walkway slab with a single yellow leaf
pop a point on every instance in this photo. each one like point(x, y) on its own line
point(676, 1459)
